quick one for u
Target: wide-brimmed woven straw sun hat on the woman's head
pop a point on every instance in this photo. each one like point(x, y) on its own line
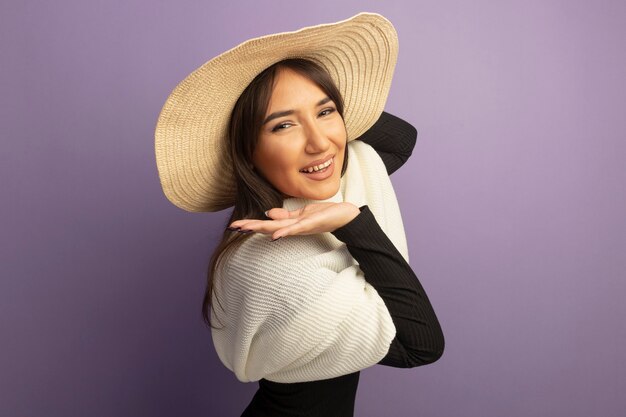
point(192, 156)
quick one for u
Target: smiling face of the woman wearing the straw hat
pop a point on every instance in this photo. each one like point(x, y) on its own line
point(302, 128)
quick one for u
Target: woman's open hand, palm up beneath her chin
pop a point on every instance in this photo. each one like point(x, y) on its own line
point(308, 220)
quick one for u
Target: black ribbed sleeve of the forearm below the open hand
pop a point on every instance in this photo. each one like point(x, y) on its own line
point(419, 339)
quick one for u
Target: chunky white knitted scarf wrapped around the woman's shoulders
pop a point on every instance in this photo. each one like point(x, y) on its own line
point(299, 309)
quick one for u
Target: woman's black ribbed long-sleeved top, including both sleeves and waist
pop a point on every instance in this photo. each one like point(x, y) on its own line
point(419, 339)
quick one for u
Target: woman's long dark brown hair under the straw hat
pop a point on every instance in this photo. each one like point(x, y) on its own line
point(254, 194)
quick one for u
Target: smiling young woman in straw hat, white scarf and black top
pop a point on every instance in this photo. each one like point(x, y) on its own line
point(311, 279)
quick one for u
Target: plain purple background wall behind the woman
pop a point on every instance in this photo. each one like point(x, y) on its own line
point(513, 203)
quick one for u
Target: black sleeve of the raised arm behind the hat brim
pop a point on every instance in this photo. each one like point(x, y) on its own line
point(393, 139)
